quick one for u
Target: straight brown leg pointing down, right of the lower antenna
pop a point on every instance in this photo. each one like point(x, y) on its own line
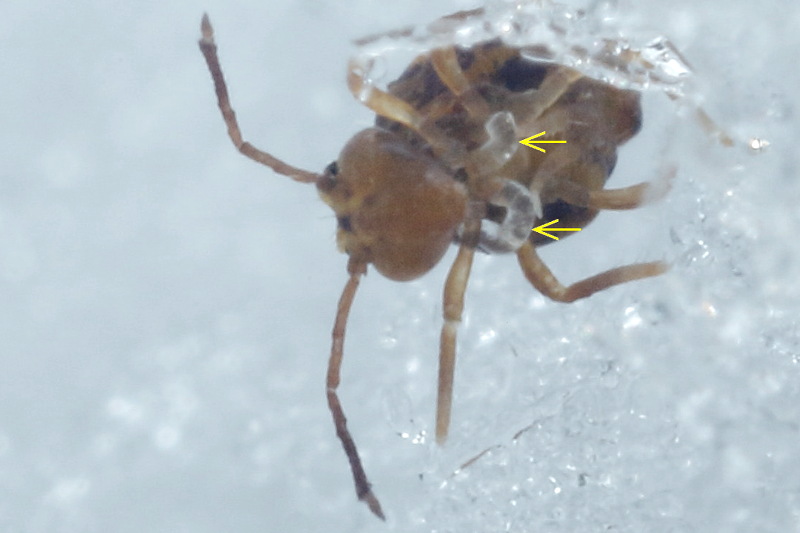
point(454, 290)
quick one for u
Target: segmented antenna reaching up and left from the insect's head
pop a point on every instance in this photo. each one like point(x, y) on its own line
point(209, 49)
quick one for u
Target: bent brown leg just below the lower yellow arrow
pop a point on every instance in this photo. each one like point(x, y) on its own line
point(545, 282)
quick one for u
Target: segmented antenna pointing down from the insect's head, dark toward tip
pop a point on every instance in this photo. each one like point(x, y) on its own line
point(363, 487)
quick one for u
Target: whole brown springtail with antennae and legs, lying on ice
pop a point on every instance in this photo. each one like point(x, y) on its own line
point(443, 164)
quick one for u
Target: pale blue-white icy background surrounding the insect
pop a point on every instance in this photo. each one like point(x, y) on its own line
point(165, 304)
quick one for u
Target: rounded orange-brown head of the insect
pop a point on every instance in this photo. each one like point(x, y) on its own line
point(397, 206)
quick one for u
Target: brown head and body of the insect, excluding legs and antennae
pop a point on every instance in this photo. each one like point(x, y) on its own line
point(397, 169)
